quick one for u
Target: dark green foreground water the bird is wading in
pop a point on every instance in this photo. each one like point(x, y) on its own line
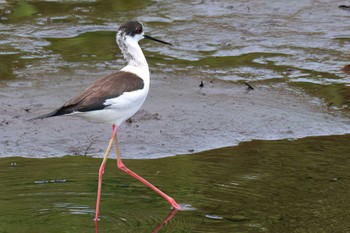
point(258, 186)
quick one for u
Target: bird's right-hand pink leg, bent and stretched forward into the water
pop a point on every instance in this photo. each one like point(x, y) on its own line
point(122, 167)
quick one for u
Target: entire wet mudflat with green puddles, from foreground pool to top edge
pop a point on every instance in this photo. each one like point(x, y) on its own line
point(292, 54)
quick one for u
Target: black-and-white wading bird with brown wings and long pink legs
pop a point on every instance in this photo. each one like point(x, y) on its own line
point(115, 98)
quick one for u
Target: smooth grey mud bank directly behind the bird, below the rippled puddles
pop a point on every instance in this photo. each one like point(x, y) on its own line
point(178, 117)
